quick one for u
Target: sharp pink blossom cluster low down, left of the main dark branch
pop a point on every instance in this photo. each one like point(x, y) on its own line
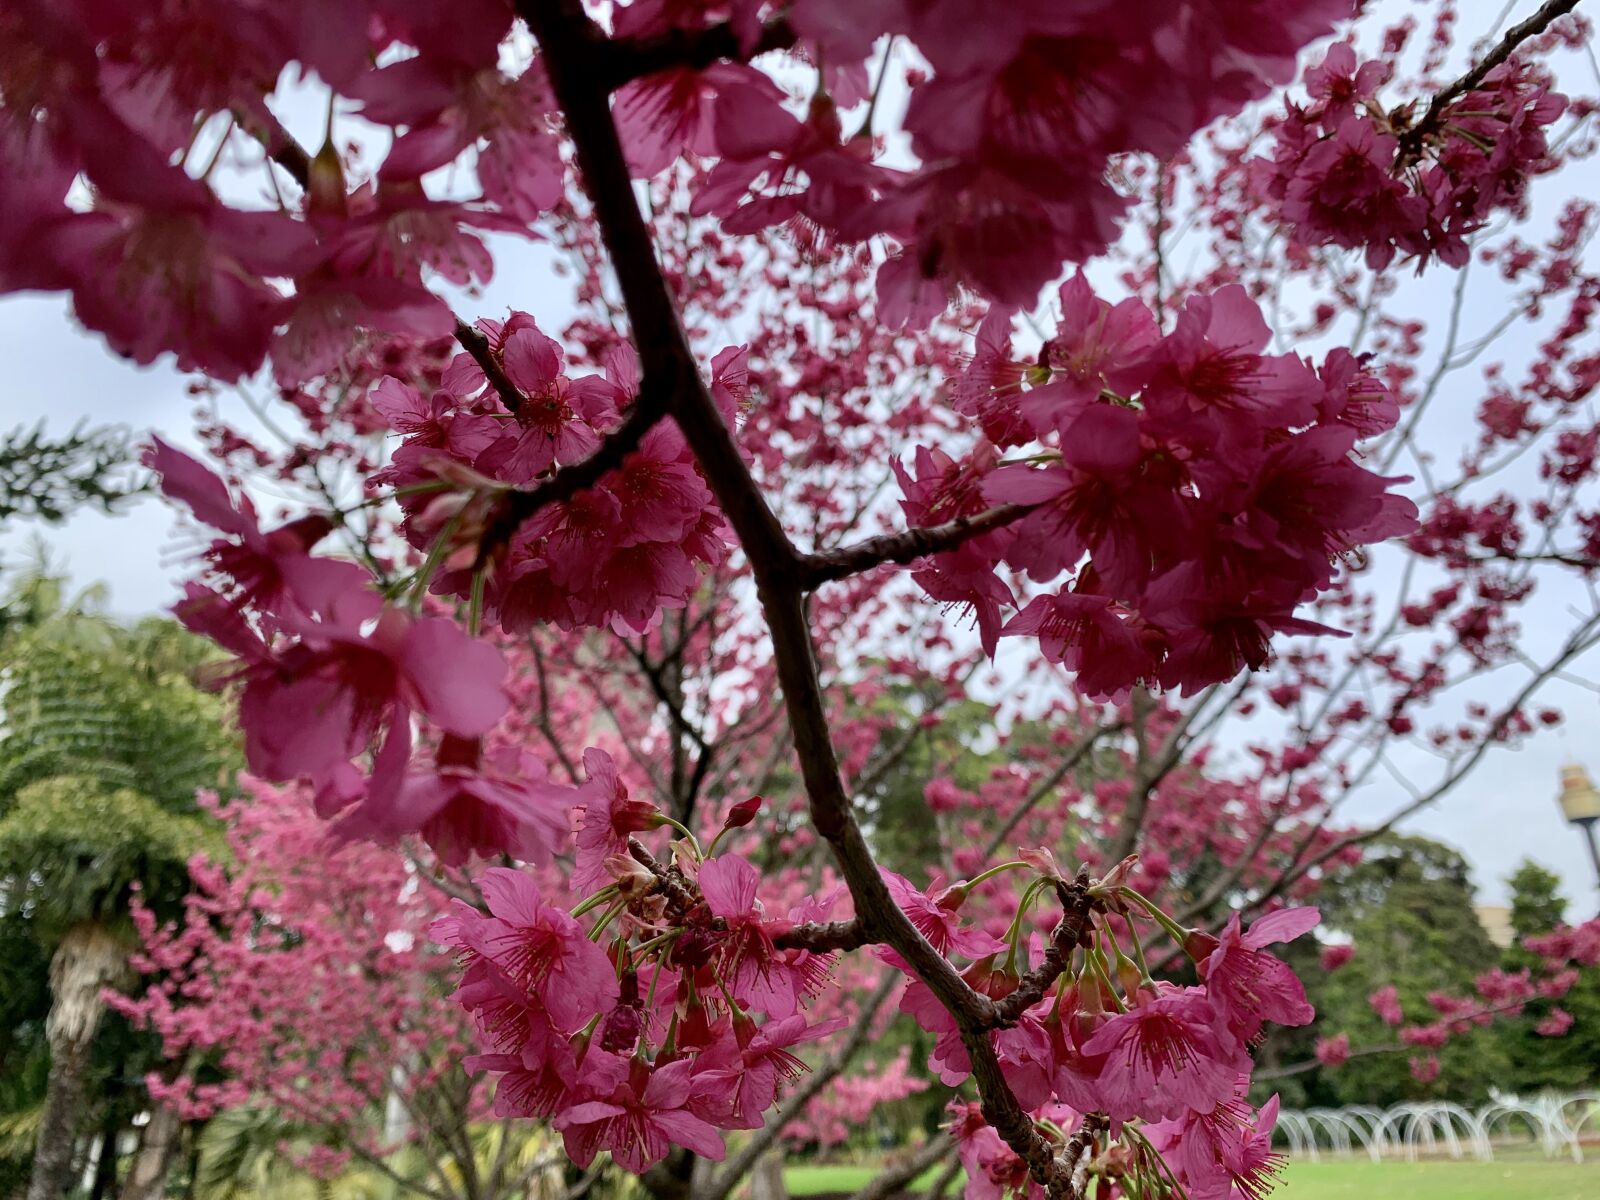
point(676, 1017)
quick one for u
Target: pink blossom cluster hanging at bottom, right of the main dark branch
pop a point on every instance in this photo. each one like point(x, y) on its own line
point(1166, 1065)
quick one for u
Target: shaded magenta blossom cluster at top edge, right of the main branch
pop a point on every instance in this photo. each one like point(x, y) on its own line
point(1015, 130)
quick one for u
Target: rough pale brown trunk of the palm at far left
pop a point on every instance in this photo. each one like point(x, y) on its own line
point(87, 962)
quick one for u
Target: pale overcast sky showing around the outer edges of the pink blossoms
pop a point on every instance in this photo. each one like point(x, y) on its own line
point(54, 372)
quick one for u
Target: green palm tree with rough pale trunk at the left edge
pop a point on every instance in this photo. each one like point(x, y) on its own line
point(105, 742)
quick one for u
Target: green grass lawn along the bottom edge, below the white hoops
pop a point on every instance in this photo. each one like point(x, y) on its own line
point(1343, 1182)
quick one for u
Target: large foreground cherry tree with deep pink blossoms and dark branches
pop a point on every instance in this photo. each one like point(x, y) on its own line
point(1145, 498)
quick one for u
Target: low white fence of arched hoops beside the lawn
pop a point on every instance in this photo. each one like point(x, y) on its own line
point(1553, 1124)
